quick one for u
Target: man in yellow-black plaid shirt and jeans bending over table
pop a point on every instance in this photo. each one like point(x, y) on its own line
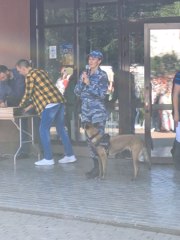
point(49, 104)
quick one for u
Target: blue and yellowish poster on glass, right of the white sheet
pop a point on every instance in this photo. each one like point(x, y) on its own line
point(66, 53)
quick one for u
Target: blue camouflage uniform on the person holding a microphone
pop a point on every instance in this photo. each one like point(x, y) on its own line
point(93, 109)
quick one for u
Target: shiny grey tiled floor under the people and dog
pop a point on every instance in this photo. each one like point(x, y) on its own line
point(152, 201)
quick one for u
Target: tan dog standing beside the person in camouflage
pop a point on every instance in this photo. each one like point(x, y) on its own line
point(117, 144)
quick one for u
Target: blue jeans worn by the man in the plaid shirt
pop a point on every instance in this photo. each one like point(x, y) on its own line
point(49, 116)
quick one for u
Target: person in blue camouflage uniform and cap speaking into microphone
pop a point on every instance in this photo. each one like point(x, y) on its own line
point(92, 88)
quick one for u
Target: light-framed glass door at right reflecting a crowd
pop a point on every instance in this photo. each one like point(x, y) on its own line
point(162, 60)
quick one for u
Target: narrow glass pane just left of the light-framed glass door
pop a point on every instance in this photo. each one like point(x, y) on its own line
point(136, 76)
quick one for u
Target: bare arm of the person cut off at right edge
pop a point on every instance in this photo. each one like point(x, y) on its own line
point(176, 94)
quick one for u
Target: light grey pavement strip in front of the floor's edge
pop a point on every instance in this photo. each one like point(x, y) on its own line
point(23, 226)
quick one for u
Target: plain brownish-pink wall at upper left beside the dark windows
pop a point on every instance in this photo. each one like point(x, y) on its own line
point(14, 31)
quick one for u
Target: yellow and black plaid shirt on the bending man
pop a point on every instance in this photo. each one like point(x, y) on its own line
point(40, 90)
